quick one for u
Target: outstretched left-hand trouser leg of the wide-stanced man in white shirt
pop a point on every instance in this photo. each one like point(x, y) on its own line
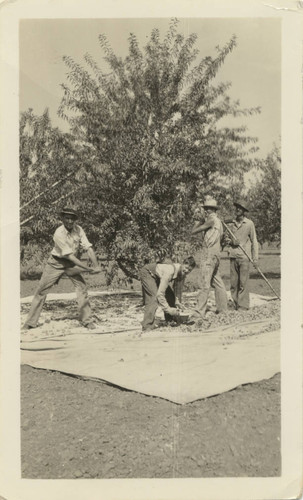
point(49, 277)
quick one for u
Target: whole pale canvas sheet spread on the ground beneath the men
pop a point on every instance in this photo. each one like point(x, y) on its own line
point(180, 363)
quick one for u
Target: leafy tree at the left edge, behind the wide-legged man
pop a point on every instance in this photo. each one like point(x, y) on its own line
point(52, 170)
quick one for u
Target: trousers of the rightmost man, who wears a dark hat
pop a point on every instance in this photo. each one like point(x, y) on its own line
point(239, 276)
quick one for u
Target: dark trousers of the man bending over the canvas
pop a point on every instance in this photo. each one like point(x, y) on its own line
point(150, 284)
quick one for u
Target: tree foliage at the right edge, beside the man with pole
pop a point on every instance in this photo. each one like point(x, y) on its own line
point(265, 199)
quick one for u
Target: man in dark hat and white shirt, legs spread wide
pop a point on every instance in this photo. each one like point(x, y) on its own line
point(69, 241)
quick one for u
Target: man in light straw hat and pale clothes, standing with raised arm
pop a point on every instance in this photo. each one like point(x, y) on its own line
point(212, 231)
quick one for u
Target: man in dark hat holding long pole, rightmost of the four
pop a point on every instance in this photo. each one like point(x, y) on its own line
point(245, 235)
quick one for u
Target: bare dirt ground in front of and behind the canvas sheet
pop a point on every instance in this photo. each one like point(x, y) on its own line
point(76, 428)
